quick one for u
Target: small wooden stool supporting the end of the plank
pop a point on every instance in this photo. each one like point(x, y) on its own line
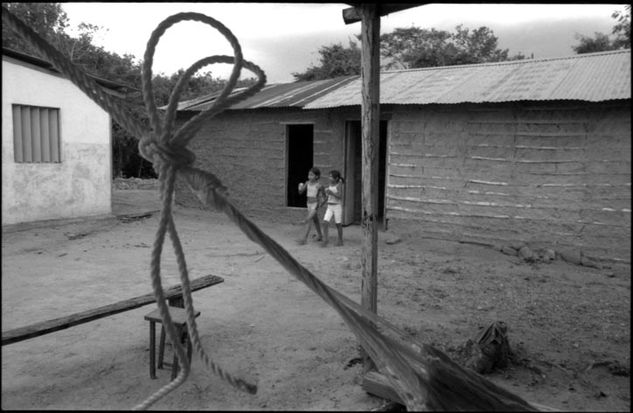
point(179, 318)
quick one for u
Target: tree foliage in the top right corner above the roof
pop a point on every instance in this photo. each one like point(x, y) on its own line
point(602, 42)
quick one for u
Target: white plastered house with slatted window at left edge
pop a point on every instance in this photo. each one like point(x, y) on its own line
point(56, 144)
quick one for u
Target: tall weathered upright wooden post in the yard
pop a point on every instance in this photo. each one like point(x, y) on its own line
point(370, 120)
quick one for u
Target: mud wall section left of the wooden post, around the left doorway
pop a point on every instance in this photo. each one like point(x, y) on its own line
point(247, 151)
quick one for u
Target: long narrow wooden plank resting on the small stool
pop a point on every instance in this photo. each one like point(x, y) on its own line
point(61, 323)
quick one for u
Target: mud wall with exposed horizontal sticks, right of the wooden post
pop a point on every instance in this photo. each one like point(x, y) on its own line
point(551, 175)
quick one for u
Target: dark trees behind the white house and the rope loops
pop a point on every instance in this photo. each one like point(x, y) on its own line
point(51, 22)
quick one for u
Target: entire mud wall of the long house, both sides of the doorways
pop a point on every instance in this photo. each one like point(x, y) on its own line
point(550, 175)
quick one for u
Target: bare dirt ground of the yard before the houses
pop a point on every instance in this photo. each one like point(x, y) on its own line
point(568, 325)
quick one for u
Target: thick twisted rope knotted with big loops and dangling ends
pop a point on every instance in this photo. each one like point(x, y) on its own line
point(168, 153)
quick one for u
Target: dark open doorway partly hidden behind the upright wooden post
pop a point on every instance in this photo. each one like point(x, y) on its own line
point(353, 169)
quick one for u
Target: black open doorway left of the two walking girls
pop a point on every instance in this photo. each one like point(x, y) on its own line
point(300, 139)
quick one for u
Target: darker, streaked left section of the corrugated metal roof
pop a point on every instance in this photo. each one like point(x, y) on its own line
point(296, 94)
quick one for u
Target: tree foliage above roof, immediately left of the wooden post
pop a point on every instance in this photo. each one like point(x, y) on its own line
point(336, 60)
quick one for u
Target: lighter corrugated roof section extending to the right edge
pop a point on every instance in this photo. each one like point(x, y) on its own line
point(590, 77)
